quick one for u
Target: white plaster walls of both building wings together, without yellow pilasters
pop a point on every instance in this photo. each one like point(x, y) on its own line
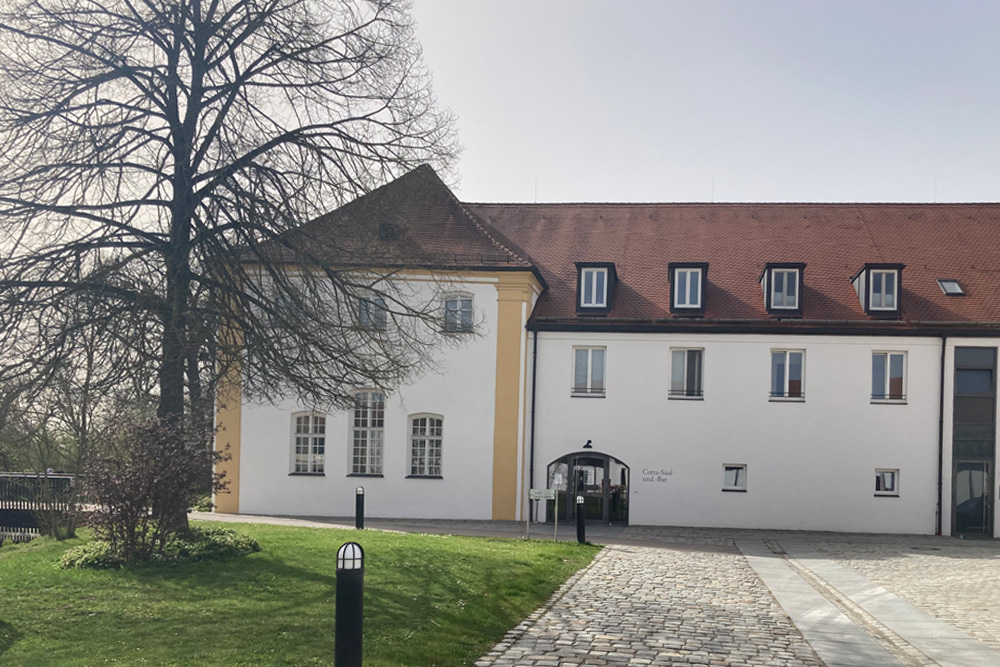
point(809, 464)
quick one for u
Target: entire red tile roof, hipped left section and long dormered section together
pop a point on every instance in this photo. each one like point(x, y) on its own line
point(416, 220)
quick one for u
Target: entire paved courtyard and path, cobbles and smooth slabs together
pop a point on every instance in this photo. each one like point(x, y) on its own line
point(688, 596)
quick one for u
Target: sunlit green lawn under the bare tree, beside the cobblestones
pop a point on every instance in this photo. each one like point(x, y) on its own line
point(429, 600)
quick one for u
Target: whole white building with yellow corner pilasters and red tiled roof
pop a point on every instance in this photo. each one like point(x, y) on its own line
point(793, 366)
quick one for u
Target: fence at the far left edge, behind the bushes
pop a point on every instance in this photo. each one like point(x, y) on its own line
point(27, 498)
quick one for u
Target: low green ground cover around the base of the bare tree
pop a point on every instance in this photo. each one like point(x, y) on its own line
point(197, 544)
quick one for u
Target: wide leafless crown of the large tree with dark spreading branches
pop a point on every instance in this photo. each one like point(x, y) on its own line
point(156, 154)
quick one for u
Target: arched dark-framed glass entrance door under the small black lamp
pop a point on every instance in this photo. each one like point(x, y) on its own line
point(602, 480)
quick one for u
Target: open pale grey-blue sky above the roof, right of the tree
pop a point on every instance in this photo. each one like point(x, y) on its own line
point(790, 100)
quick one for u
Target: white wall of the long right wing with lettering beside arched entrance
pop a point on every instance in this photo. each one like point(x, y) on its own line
point(810, 464)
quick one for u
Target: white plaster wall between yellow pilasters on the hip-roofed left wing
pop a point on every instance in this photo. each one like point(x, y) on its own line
point(461, 390)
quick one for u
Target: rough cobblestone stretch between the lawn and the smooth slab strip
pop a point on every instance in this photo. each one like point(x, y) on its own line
point(650, 606)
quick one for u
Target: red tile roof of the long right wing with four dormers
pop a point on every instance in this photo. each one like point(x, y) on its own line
point(834, 241)
